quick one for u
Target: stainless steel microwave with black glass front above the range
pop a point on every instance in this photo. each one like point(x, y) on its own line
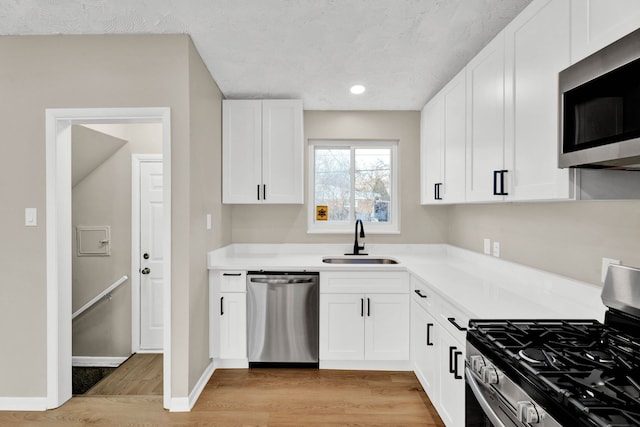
point(600, 108)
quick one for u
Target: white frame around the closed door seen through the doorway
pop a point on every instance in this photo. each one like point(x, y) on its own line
point(136, 298)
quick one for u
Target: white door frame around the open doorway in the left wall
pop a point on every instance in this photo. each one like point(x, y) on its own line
point(58, 233)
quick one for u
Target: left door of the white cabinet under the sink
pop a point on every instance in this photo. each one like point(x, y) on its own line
point(342, 327)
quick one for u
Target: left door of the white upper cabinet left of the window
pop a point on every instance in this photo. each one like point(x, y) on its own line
point(241, 150)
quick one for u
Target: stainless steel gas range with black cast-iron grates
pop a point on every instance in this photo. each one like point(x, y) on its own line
point(559, 372)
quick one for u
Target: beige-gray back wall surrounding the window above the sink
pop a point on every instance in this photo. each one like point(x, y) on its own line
point(288, 223)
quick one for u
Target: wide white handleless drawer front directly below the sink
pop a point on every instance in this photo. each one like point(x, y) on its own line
point(369, 282)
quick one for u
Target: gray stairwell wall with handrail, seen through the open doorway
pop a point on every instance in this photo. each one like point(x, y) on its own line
point(104, 198)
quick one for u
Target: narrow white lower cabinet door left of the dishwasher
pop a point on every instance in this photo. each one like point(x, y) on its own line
point(233, 326)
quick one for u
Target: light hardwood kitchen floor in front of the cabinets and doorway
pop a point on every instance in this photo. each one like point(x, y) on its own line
point(260, 397)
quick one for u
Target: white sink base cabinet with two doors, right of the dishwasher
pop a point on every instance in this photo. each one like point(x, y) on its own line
point(364, 316)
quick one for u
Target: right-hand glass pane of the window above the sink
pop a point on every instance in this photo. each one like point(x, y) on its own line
point(373, 184)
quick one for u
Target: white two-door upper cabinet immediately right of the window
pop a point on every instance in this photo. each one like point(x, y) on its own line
point(443, 144)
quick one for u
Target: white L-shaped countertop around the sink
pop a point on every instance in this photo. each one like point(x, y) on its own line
point(483, 287)
